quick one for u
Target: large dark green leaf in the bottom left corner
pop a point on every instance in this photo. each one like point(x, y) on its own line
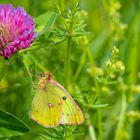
point(11, 126)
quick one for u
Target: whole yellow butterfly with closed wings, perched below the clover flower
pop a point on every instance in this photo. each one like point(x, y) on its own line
point(52, 105)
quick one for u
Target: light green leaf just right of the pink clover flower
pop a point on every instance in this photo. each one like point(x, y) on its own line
point(45, 21)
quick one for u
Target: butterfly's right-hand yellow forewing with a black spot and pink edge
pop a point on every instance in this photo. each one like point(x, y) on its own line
point(71, 112)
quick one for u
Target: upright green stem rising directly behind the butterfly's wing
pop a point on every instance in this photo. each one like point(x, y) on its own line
point(67, 63)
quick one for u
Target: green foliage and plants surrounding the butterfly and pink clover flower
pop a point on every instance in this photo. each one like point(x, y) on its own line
point(104, 81)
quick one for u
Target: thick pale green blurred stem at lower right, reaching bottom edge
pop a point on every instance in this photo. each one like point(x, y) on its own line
point(120, 127)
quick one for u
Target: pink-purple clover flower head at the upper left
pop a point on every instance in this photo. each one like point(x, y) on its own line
point(16, 30)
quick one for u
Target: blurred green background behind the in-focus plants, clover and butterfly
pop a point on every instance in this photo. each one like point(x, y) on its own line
point(110, 23)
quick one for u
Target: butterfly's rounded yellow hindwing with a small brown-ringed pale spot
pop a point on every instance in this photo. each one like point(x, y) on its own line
point(46, 108)
